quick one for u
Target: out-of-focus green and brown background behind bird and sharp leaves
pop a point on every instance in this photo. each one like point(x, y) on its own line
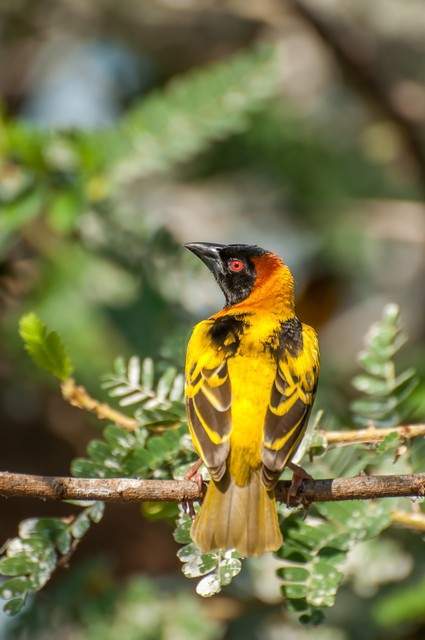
point(130, 128)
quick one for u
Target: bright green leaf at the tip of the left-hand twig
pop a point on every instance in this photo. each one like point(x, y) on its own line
point(45, 347)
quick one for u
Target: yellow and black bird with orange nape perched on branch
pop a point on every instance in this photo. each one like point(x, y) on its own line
point(251, 375)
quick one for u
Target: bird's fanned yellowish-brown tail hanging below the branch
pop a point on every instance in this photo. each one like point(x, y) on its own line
point(238, 517)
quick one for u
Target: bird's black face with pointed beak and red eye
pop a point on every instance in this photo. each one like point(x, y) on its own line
point(232, 265)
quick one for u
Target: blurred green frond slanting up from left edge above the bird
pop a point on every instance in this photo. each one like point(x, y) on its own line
point(77, 171)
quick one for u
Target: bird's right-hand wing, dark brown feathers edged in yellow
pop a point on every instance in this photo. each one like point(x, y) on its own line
point(290, 403)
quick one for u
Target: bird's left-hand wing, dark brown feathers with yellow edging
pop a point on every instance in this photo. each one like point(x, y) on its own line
point(208, 399)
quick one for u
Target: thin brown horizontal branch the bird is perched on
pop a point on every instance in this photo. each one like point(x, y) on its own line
point(135, 490)
